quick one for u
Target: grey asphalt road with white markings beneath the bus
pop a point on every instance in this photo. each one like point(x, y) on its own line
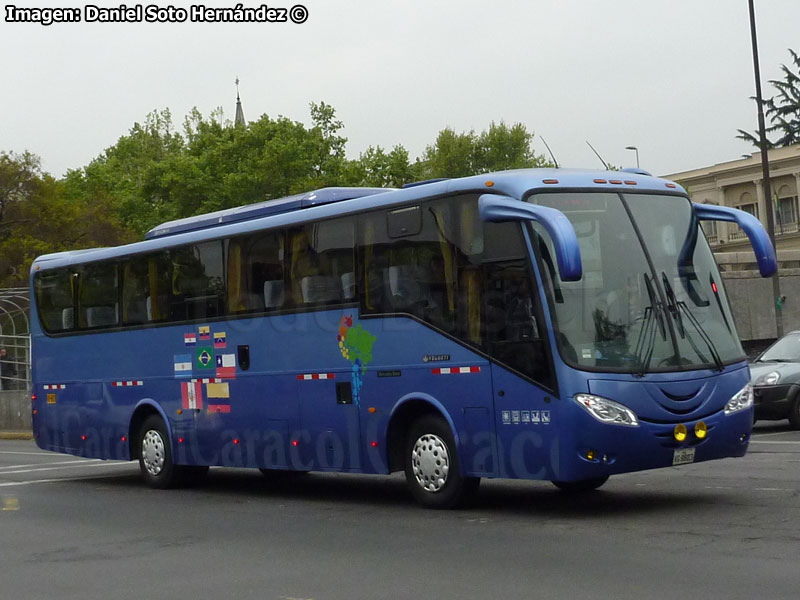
point(72, 528)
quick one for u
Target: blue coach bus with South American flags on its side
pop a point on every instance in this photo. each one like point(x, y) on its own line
point(561, 325)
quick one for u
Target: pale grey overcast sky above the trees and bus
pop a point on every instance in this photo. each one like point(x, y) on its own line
point(672, 77)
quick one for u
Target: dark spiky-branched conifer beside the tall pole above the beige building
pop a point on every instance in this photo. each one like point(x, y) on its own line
point(782, 110)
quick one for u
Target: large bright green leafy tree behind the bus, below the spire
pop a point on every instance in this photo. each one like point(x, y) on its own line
point(155, 174)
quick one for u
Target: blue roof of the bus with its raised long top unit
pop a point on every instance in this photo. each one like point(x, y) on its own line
point(333, 202)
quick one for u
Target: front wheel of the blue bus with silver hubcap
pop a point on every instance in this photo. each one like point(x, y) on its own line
point(430, 461)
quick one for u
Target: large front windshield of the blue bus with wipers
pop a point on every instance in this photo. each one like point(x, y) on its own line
point(651, 297)
